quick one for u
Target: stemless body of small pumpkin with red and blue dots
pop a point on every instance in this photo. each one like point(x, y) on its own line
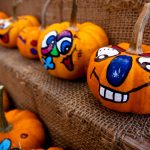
point(27, 41)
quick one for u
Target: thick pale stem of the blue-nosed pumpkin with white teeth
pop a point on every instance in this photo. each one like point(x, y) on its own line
point(137, 35)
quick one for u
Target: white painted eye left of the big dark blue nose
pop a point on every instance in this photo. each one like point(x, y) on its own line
point(105, 52)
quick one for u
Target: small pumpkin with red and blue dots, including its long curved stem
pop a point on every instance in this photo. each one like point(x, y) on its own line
point(28, 38)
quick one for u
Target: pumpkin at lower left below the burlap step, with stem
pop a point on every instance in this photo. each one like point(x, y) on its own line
point(18, 127)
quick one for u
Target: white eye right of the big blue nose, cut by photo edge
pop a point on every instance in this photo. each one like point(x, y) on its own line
point(144, 62)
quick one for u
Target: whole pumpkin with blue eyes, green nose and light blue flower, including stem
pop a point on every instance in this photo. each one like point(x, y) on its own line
point(65, 48)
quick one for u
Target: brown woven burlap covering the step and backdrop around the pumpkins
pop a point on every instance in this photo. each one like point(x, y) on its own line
point(73, 117)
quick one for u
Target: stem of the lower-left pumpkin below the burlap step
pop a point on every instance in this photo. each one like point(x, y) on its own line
point(4, 125)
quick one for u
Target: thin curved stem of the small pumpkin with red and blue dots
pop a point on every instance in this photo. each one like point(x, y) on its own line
point(43, 16)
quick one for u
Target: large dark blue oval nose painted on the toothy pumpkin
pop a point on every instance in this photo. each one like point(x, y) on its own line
point(118, 69)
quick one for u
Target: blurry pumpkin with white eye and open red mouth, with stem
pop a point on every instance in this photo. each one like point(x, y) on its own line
point(10, 28)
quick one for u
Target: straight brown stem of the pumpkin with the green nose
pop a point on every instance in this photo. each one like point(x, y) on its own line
point(73, 19)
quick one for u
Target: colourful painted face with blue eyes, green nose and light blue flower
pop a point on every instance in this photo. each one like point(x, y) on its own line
point(56, 45)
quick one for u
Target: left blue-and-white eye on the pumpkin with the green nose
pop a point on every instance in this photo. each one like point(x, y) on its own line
point(50, 38)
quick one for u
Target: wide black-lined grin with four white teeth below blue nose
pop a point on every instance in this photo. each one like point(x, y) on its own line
point(113, 95)
